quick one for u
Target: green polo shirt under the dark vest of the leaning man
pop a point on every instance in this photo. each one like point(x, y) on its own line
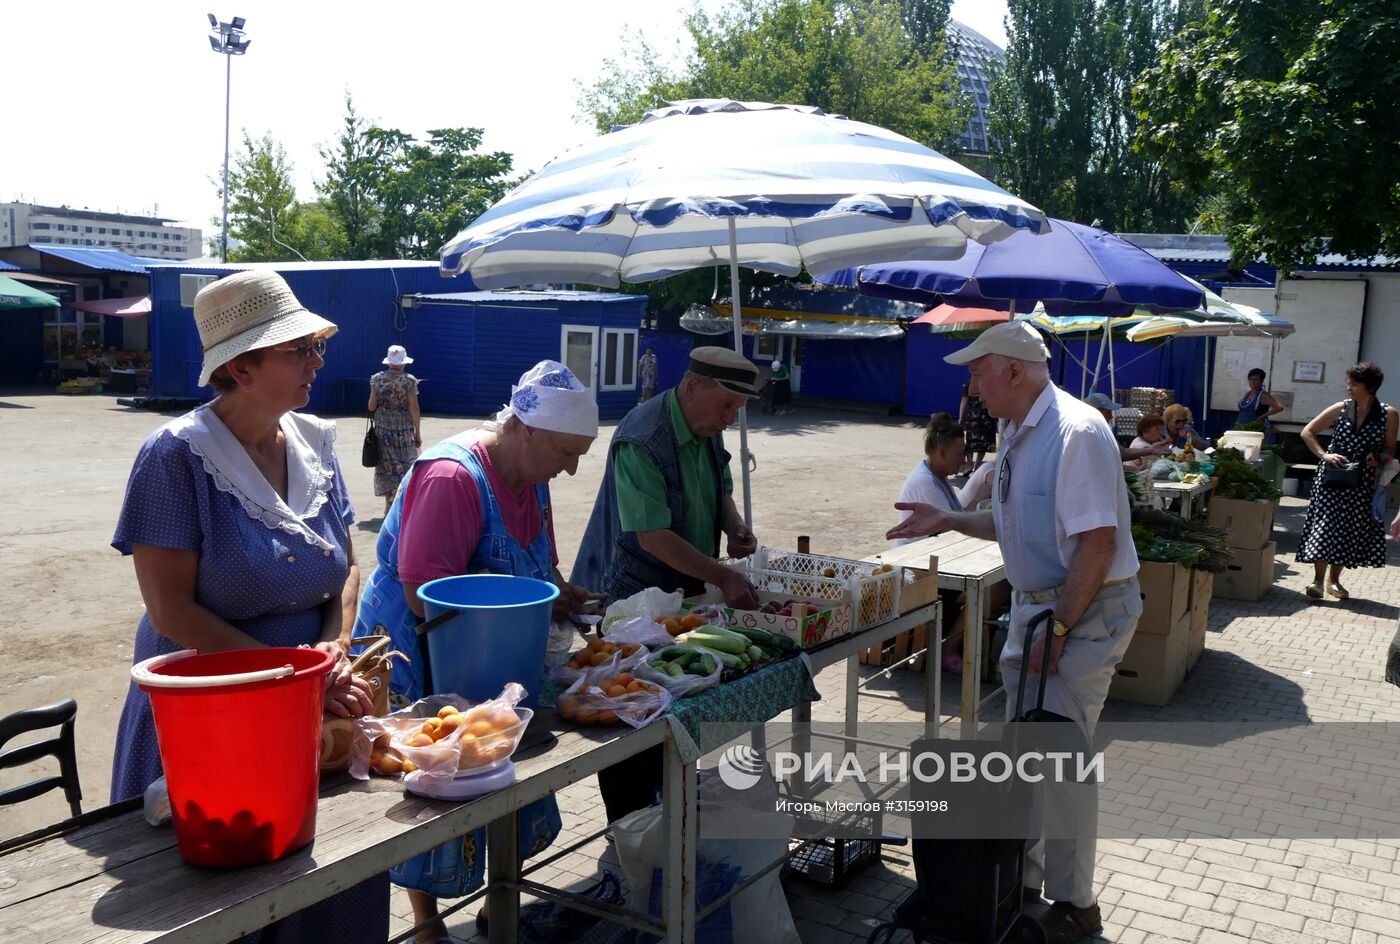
point(642, 491)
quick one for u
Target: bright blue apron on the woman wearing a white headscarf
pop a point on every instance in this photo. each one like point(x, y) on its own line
point(457, 868)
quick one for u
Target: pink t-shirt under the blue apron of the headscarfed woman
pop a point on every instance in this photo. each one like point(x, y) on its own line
point(443, 519)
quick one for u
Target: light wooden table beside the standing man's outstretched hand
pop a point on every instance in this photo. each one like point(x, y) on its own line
point(974, 567)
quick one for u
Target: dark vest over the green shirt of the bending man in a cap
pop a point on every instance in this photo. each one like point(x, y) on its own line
point(612, 561)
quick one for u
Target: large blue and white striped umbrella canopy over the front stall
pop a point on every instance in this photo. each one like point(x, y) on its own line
point(803, 188)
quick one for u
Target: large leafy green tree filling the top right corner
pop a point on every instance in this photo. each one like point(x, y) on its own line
point(1286, 110)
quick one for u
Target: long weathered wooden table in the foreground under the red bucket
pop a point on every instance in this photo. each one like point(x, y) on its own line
point(110, 877)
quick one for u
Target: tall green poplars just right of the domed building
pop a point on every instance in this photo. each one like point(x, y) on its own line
point(1063, 117)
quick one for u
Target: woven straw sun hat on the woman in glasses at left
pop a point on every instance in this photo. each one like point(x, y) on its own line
point(247, 312)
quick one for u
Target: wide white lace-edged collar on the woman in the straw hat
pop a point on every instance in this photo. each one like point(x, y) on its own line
point(310, 470)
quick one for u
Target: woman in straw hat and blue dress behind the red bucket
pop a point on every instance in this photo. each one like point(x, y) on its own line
point(237, 520)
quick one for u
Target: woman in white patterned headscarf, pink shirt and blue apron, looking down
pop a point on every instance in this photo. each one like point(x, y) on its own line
point(478, 504)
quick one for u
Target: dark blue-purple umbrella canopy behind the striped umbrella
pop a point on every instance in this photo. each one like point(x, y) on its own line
point(1073, 271)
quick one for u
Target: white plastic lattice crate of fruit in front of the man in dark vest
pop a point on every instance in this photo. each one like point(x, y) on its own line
point(871, 590)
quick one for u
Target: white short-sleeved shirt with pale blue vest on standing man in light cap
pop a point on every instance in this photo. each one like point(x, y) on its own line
point(1062, 476)
